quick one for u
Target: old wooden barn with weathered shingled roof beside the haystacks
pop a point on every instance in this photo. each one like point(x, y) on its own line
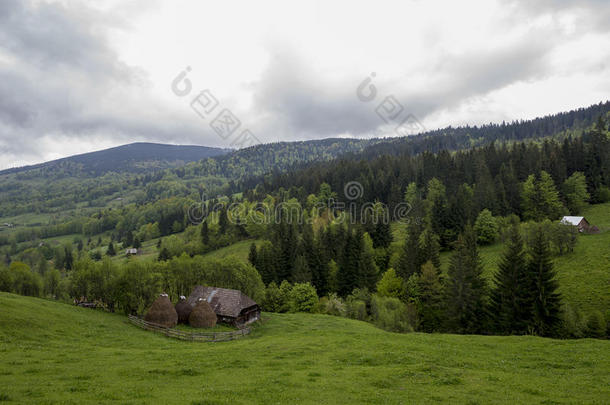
point(231, 306)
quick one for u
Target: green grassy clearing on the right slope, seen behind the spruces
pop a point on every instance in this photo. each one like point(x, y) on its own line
point(584, 275)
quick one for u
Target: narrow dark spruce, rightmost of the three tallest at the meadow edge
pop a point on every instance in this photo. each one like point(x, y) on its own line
point(546, 304)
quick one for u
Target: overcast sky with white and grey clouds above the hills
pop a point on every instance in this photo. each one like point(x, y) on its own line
point(79, 76)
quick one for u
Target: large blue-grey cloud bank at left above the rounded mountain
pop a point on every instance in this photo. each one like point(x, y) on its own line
point(62, 71)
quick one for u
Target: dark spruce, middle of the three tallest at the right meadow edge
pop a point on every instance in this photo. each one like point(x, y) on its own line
point(511, 299)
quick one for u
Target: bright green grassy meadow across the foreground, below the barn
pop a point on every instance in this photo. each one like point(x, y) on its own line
point(55, 353)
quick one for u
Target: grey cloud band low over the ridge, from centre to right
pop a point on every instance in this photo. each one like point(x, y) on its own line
point(311, 106)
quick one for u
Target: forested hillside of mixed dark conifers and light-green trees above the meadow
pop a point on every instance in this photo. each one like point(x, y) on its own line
point(359, 235)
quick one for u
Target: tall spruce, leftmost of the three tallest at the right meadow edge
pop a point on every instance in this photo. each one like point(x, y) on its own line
point(467, 289)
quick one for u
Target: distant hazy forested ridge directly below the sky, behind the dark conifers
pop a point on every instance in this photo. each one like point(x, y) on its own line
point(72, 183)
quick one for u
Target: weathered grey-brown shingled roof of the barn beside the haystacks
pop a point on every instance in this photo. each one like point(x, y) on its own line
point(224, 301)
